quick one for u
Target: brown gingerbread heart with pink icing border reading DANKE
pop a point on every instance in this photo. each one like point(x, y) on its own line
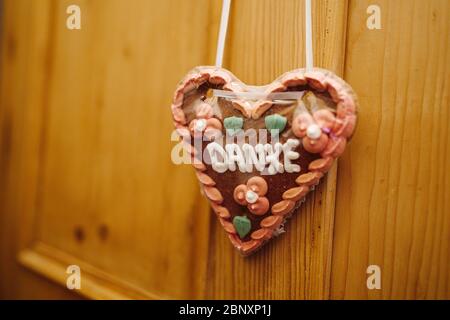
point(254, 182)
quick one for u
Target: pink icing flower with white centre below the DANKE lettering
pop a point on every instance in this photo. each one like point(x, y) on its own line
point(252, 195)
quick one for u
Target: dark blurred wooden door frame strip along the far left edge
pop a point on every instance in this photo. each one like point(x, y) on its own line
point(24, 57)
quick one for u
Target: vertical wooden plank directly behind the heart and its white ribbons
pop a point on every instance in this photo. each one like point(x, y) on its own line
point(266, 39)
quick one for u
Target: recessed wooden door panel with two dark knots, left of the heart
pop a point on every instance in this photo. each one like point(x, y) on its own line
point(108, 132)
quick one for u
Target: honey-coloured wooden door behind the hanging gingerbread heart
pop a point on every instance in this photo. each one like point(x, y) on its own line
point(87, 180)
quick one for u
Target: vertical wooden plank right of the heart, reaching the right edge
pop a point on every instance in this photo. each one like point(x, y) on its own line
point(392, 205)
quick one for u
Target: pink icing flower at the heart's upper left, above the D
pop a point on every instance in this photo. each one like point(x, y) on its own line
point(204, 123)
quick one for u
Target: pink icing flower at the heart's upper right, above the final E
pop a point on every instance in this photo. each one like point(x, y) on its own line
point(314, 129)
